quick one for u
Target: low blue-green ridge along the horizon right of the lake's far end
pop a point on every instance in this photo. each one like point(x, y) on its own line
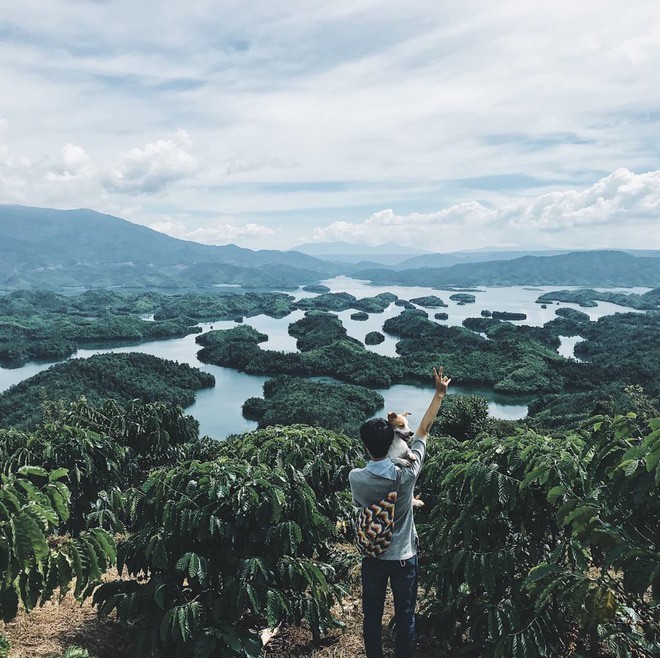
point(583, 268)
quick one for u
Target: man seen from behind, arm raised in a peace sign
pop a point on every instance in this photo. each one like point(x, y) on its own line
point(399, 562)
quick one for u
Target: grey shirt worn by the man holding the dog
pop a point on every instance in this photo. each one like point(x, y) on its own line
point(372, 483)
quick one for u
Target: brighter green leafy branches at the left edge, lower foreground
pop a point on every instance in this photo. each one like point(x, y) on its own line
point(33, 505)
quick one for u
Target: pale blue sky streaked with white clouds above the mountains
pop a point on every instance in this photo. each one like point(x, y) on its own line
point(438, 125)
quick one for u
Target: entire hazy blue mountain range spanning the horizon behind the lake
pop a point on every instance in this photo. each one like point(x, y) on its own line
point(42, 247)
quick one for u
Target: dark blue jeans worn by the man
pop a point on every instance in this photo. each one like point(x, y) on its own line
point(402, 575)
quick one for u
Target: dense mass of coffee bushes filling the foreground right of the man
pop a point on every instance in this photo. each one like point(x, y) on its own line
point(544, 547)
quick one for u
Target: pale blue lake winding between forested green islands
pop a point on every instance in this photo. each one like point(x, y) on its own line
point(218, 410)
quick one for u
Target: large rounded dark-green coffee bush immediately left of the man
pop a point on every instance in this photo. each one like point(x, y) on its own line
point(220, 553)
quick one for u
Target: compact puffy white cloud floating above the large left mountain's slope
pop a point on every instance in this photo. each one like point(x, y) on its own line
point(153, 167)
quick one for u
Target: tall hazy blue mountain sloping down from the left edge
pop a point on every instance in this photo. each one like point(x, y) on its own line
point(55, 248)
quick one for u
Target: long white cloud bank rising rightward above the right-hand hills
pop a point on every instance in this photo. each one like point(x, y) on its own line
point(622, 202)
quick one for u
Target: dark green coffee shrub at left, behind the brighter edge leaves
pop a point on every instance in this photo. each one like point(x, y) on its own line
point(103, 451)
